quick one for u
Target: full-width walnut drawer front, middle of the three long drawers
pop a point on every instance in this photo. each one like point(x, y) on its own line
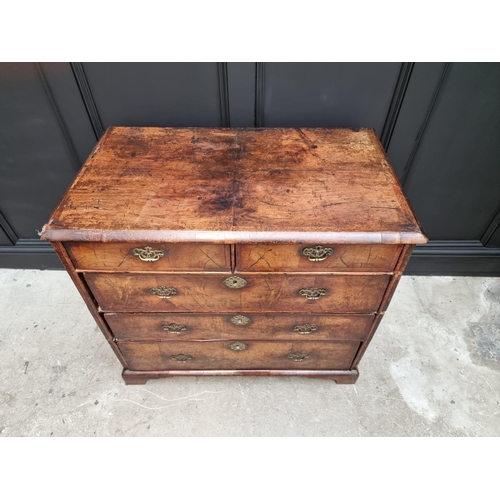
point(167, 327)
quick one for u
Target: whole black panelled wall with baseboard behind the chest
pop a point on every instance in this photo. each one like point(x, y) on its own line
point(439, 123)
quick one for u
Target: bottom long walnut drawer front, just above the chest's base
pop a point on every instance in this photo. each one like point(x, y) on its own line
point(243, 355)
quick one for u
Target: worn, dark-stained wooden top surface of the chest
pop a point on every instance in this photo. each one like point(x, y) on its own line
point(236, 186)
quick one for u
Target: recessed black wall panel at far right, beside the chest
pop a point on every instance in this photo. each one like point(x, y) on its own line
point(454, 181)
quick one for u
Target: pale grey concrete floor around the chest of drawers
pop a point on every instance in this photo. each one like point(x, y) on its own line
point(433, 369)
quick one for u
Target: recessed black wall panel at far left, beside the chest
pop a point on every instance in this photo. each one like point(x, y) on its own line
point(36, 161)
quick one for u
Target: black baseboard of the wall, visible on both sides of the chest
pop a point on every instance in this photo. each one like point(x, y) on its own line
point(436, 258)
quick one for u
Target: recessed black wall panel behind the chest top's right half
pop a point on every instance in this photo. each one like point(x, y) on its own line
point(328, 94)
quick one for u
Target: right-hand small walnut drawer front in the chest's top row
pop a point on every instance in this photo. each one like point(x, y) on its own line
point(317, 258)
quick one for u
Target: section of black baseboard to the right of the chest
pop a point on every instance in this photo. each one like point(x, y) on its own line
point(454, 258)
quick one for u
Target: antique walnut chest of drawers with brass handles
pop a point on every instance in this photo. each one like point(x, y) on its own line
point(236, 251)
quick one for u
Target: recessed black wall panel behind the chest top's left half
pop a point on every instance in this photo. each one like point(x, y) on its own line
point(156, 94)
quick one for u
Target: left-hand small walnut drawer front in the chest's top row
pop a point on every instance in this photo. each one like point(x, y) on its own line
point(142, 257)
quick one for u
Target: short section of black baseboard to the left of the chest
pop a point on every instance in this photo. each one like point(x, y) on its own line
point(29, 254)
